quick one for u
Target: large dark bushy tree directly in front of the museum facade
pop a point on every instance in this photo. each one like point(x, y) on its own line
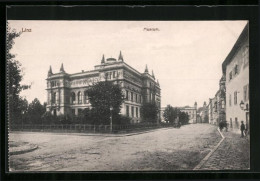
point(103, 96)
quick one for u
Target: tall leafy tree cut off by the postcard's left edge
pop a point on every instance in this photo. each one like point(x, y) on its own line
point(14, 77)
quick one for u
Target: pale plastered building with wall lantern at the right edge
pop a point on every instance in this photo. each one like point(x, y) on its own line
point(236, 70)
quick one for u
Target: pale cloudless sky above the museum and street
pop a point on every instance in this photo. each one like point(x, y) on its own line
point(186, 56)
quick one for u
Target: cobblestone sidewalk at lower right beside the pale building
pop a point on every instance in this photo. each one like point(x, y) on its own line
point(232, 154)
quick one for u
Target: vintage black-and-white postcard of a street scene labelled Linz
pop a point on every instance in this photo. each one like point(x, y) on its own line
point(128, 95)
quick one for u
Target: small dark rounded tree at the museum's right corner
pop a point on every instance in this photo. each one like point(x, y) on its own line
point(149, 112)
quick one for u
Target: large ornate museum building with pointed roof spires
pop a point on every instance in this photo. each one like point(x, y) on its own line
point(67, 93)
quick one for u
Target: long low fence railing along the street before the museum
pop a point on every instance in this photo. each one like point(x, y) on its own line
point(86, 128)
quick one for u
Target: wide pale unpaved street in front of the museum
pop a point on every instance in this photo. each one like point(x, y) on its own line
point(161, 149)
